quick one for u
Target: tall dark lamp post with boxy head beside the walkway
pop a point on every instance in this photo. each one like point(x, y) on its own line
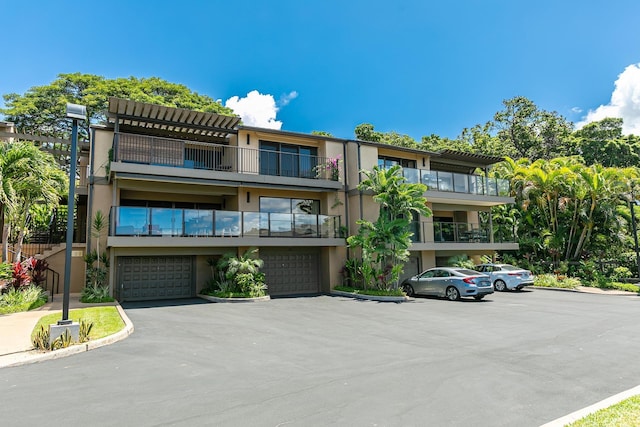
point(75, 112)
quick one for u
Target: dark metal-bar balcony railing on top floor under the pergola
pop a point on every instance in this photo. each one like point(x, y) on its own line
point(150, 150)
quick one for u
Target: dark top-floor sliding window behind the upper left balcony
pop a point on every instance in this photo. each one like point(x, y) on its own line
point(287, 160)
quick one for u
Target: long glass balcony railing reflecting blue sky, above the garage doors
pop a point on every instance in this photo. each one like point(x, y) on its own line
point(140, 221)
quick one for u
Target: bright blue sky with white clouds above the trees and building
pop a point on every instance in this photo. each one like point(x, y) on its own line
point(416, 67)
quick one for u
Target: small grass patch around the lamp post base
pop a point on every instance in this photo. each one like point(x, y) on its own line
point(106, 320)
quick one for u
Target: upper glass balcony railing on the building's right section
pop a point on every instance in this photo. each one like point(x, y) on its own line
point(457, 182)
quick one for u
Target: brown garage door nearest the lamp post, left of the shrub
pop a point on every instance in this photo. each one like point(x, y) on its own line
point(155, 277)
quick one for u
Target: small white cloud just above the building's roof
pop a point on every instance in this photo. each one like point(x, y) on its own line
point(256, 110)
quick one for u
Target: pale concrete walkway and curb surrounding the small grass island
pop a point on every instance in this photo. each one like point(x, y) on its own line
point(16, 328)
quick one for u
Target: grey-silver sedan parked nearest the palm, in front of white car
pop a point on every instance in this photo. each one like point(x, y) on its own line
point(449, 282)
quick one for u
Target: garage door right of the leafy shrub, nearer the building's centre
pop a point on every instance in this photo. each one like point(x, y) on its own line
point(291, 272)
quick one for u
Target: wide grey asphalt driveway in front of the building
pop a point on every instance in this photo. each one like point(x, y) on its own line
point(514, 359)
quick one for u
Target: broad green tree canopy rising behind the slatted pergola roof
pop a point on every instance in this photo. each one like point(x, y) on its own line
point(42, 109)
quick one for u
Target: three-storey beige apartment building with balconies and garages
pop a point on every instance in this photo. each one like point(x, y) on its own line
point(181, 188)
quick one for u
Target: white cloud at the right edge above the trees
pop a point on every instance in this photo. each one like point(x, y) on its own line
point(625, 102)
